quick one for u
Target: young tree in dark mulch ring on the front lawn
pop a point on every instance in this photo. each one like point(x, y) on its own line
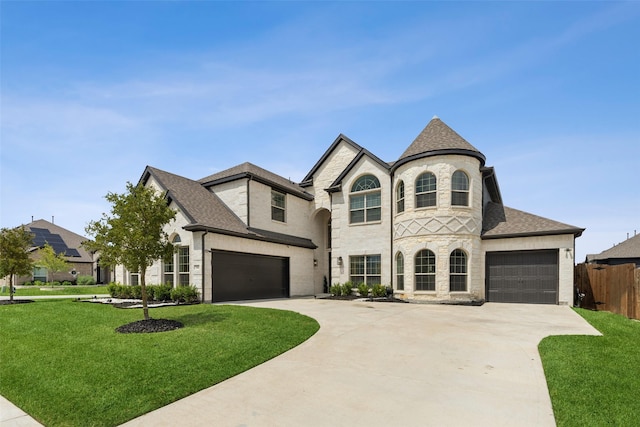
point(134, 234)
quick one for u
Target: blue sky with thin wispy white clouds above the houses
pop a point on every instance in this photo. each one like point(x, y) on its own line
point(92, 92)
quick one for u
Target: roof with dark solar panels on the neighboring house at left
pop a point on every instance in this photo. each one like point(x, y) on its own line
point(45, 230)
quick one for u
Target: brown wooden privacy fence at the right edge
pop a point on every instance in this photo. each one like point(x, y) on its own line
point(614, 288)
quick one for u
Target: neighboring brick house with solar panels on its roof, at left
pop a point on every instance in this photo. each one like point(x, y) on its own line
point(62, 241)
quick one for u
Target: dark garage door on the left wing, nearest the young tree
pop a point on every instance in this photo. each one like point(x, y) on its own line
point(240, 276)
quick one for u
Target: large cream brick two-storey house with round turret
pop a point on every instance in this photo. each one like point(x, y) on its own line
point(431, 225)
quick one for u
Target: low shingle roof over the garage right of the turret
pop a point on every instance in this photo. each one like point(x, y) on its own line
point(500, 222)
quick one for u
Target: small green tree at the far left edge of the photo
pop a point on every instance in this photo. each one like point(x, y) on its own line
point(14, 254)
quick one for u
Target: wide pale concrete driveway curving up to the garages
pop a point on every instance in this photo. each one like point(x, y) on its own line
point(385, 364)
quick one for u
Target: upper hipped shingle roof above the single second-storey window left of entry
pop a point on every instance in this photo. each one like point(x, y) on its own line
point(249, 170)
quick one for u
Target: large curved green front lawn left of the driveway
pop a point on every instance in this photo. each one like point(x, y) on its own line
point(63, 363)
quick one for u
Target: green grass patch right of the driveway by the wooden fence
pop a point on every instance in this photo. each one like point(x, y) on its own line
point(595, 381)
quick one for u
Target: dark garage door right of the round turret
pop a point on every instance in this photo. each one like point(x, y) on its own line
point(524, 276)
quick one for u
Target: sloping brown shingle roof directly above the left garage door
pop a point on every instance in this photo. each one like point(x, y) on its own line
point(207, 212)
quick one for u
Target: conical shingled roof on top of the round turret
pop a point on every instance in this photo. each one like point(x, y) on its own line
point(436, 139)
